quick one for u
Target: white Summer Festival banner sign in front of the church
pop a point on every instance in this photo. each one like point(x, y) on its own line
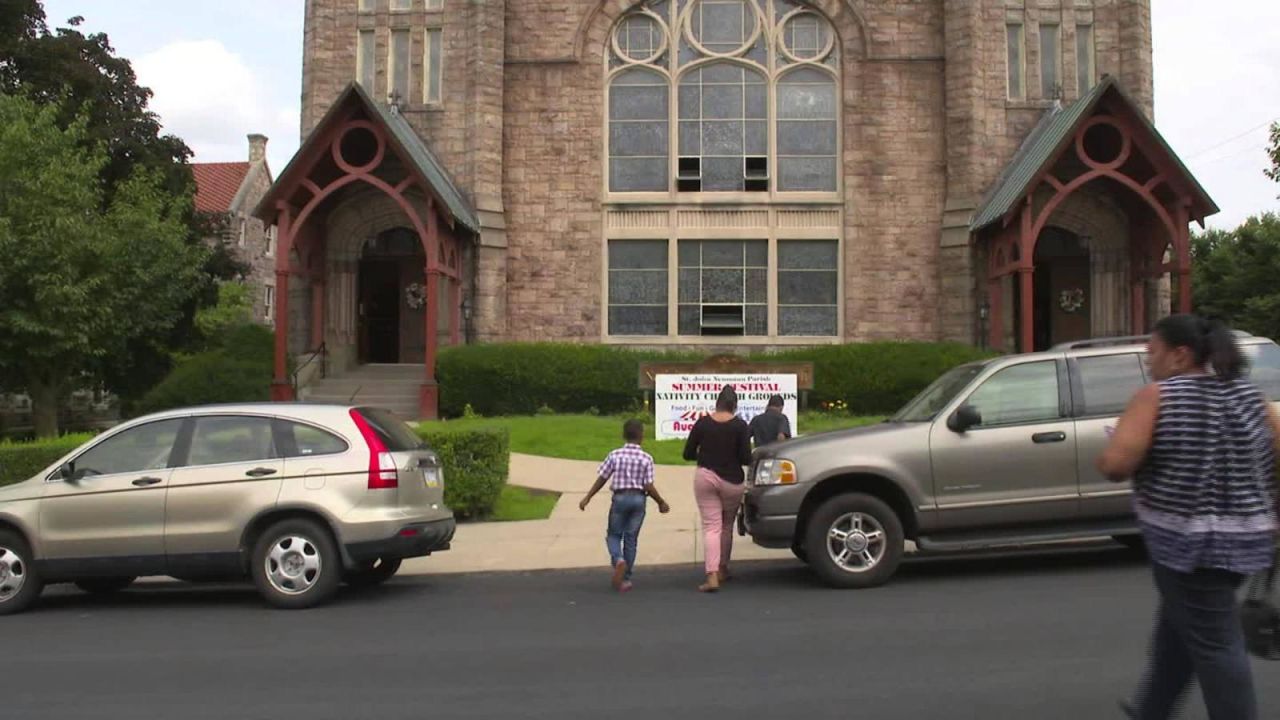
point(682, 400)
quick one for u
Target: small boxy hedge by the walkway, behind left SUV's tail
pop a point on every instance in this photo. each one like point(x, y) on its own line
point(477, 464)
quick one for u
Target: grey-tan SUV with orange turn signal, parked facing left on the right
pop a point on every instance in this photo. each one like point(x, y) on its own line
point(994, 453)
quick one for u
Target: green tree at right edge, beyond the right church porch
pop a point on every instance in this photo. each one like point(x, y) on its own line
point(1235, 275)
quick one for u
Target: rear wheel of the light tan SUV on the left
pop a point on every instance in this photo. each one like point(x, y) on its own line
point(296, 564)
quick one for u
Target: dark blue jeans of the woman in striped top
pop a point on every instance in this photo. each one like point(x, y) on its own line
point(1199, 637)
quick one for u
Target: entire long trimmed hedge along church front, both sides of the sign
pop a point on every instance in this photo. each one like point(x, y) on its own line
point(523, 379)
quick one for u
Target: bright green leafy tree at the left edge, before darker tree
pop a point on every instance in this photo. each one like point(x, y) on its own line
point(83, 275)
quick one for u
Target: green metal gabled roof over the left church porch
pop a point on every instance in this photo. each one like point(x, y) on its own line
point(406, 143)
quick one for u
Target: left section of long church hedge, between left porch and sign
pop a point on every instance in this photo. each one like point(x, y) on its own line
point(522, 379)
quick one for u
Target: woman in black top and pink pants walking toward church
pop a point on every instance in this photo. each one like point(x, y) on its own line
point(721, 444)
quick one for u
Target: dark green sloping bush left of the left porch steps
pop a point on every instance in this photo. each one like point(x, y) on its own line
point(237, 371)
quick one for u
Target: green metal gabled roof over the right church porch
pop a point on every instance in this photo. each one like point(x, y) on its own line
point(1046, 142)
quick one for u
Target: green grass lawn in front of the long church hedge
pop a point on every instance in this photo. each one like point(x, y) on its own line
point(591, 438)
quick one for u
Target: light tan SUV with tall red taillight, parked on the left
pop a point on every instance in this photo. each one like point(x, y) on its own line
point(299, 498)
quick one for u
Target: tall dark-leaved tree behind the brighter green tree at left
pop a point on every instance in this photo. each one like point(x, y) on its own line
point(83, 79)
